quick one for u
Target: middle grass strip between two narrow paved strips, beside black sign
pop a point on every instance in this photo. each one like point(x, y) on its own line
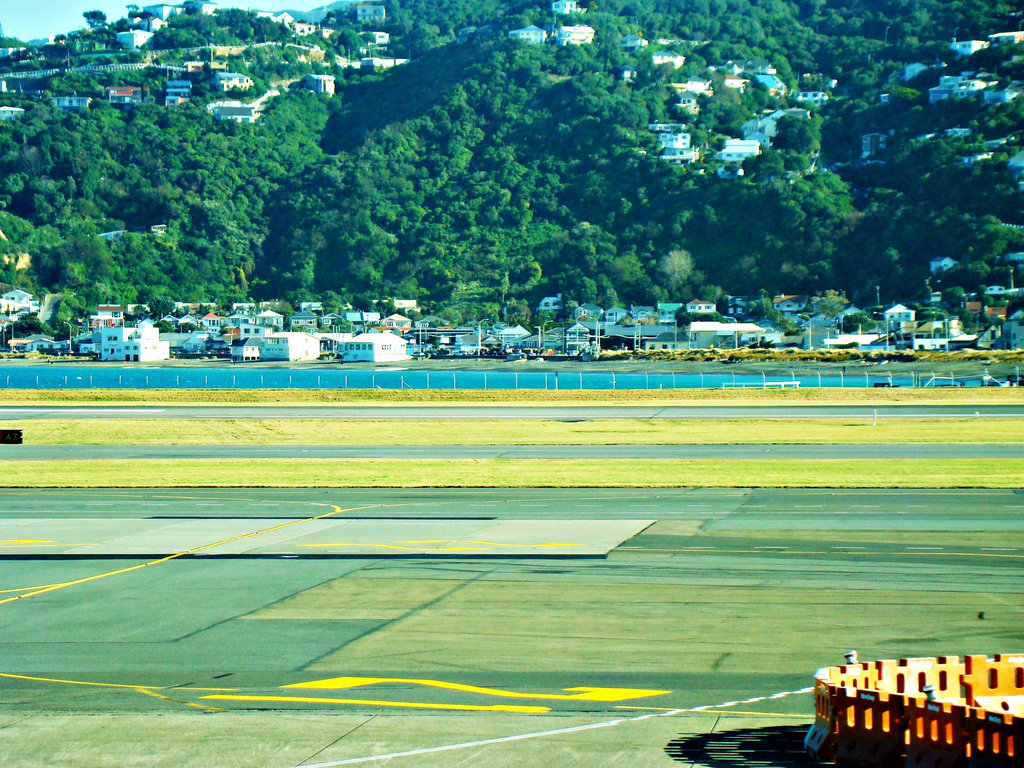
point(509, 433)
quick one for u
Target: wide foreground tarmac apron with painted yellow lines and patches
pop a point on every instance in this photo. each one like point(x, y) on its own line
point(353, 606)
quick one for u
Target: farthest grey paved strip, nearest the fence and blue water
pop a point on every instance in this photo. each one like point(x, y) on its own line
point(500, 412)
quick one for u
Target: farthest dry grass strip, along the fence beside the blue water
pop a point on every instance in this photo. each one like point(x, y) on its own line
point(825, 397)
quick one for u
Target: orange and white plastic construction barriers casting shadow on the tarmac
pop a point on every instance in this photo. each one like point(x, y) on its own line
point(941, 712)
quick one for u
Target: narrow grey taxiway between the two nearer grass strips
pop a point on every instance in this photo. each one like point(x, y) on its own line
point(470, 453)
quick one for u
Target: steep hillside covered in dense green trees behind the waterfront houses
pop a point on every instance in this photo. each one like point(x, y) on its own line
point(492, 172)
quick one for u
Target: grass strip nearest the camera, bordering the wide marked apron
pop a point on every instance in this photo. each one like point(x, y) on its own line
point(910, 474)
